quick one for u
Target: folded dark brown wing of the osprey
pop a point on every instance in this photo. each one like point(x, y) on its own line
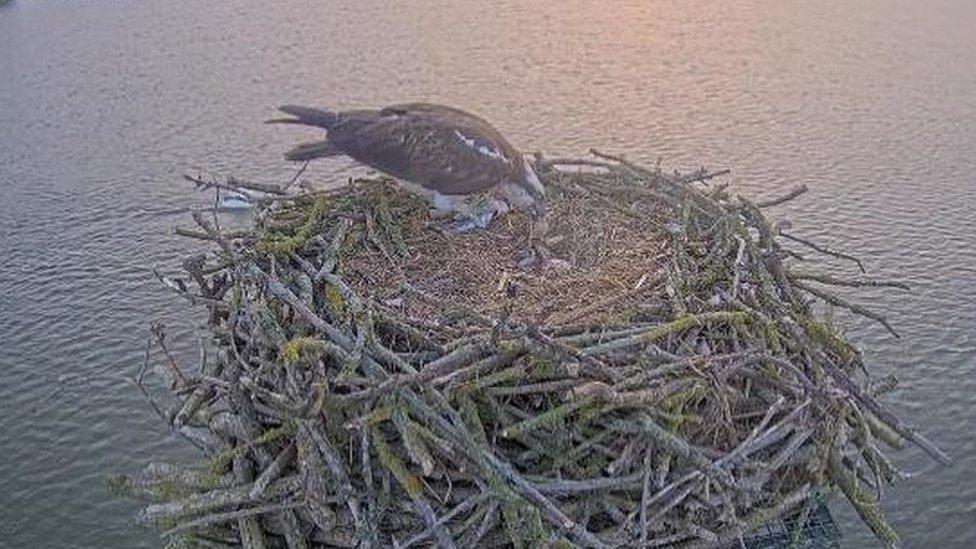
point(441, 148)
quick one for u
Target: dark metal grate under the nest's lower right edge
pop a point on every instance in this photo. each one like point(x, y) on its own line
point(819, 532)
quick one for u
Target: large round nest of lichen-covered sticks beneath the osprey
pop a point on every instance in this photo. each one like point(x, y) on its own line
point(374, 382)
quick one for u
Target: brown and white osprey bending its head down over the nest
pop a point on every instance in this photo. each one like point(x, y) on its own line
point(458, 161)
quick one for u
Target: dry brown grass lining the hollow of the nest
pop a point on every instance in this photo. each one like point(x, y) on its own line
point(610, 251)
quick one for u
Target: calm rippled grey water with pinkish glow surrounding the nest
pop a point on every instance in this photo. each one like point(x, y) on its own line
point(103, 105)
